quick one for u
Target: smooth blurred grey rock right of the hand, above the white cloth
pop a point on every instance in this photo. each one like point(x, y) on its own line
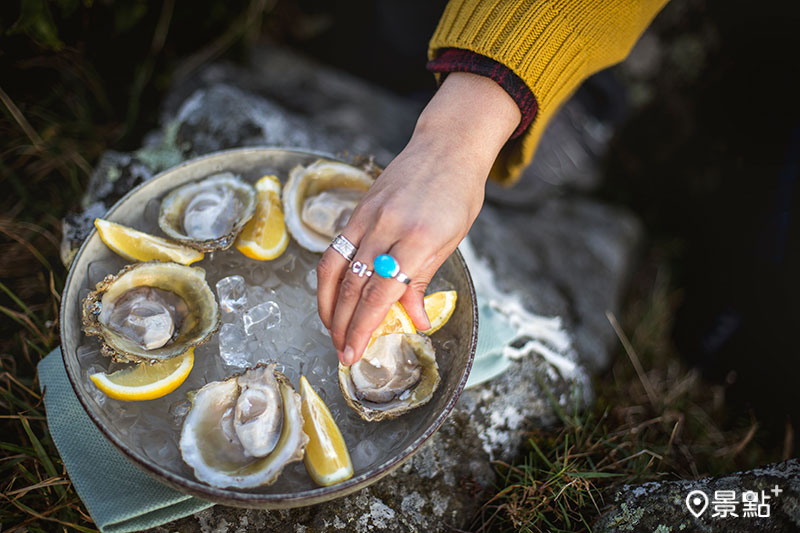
point(571, 258)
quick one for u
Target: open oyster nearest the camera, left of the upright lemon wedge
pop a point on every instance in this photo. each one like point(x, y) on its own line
point(241, 432)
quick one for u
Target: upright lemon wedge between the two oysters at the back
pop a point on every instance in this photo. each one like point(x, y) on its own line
point(265, 236)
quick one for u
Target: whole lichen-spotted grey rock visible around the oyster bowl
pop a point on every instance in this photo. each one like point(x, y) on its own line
point(568, 257)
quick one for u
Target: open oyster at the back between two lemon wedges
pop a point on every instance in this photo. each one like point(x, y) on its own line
point(209, 213)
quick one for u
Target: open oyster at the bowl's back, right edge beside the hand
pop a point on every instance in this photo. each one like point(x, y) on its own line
point(319, 199)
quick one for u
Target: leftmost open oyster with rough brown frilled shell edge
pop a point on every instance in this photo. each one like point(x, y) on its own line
point(151, 311)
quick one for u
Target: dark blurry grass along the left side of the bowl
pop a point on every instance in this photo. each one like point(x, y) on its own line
point(66, 96)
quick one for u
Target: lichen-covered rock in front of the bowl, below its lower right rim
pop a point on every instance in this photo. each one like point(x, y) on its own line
point(442, 486)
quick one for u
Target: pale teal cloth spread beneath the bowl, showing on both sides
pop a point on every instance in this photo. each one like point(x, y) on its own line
point(121, 498)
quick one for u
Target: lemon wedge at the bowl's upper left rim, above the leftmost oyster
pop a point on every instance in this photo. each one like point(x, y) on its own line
point(135, 245)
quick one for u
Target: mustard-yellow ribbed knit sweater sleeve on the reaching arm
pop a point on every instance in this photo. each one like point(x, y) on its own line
point(553, 45)
